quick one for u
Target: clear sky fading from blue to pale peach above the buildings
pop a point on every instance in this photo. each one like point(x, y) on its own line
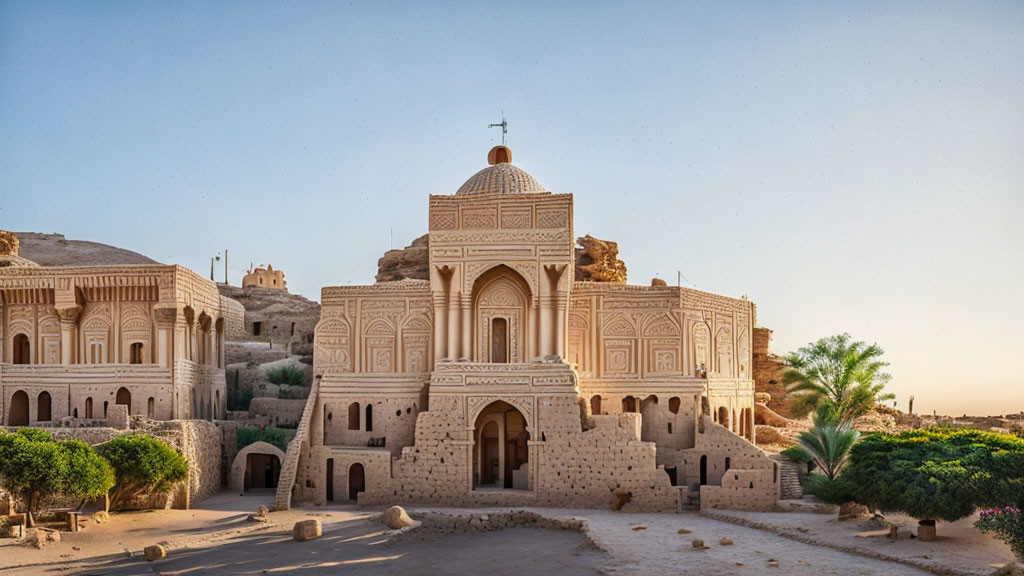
point(849, 168)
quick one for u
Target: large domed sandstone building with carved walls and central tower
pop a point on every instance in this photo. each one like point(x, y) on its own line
point(504, 380)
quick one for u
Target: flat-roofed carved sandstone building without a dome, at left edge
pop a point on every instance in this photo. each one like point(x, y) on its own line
point(75, 342)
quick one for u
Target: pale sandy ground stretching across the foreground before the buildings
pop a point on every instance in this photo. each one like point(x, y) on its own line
point(217, 539)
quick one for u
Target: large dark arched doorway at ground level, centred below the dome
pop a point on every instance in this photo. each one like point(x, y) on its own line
point(501, 451)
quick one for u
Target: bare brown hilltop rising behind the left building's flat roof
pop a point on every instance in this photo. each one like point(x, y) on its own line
point(56, 251)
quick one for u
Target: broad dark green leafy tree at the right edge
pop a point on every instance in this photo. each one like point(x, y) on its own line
point(937, 474)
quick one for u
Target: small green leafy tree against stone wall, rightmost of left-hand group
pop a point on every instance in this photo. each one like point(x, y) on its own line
point(143, 465)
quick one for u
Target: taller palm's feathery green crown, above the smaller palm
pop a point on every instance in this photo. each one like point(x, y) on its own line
point(840, 379)
